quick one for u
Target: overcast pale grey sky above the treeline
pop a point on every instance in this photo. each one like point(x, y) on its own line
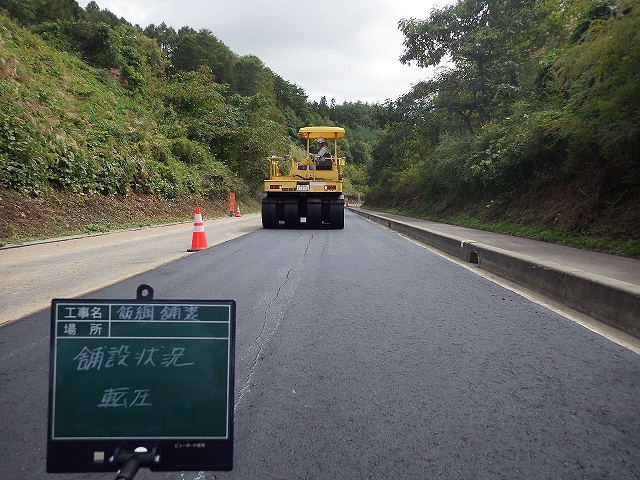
point(346, 50)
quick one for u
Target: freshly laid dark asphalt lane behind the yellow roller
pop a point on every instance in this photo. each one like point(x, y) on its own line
point(360, 354)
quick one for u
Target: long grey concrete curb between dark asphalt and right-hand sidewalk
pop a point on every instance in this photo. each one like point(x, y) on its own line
point(613, 302)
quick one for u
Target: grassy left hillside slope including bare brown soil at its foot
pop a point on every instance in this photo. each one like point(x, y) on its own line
point(79, 151)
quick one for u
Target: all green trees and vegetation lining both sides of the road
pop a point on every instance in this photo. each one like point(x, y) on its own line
point(531, 125)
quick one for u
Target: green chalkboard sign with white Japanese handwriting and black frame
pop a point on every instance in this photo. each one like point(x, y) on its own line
point(149, 376)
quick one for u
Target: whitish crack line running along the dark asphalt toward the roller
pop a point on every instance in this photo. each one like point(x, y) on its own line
point(273, 315)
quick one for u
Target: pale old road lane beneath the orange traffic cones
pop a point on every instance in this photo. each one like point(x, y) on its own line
point(33, 274)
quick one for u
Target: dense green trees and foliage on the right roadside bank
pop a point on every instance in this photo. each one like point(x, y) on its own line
point(536, 98)
